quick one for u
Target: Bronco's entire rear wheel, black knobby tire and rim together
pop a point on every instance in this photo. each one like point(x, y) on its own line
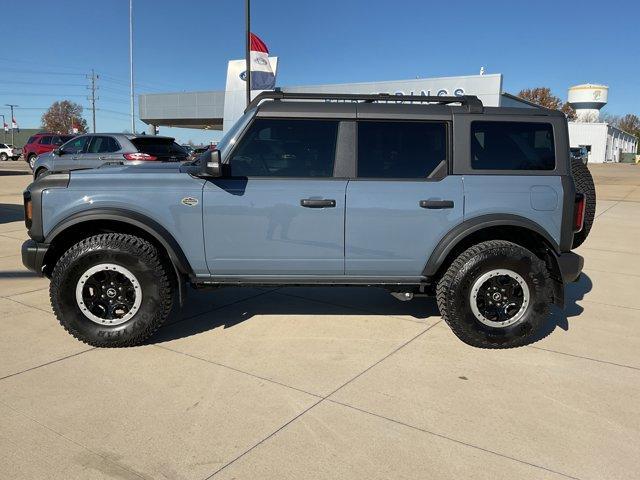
point(495, 295)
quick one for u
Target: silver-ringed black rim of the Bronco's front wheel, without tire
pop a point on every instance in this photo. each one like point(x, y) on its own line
point(92, 298)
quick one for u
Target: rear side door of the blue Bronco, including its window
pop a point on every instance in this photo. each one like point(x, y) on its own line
point(402, 201)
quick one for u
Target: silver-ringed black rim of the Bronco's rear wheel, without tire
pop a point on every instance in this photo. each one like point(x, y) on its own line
point(510, 308)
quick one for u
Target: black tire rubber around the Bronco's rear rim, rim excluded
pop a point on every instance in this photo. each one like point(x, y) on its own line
point(453, 294)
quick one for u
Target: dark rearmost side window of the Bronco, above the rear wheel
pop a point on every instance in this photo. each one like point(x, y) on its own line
point(512, 146)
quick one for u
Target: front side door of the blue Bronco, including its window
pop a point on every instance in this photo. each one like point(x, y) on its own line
point(280, 211)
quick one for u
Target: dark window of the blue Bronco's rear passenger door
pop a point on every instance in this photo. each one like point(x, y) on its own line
point(400, 149)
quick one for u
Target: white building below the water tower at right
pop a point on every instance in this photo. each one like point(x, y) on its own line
point(604, 142)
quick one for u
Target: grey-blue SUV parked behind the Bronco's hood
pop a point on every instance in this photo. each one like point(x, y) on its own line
point(95, 149)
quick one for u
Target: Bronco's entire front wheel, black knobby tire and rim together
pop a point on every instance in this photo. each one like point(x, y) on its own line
point(111, 290)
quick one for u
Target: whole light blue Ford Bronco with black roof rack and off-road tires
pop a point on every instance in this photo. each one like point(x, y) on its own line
point(438, 196)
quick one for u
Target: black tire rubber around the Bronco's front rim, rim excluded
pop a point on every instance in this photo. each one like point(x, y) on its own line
point(142, 259)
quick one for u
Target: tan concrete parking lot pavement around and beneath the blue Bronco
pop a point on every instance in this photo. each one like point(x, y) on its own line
point(328, 383)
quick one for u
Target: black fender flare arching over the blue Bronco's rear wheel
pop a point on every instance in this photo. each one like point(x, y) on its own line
point(472, 225)
